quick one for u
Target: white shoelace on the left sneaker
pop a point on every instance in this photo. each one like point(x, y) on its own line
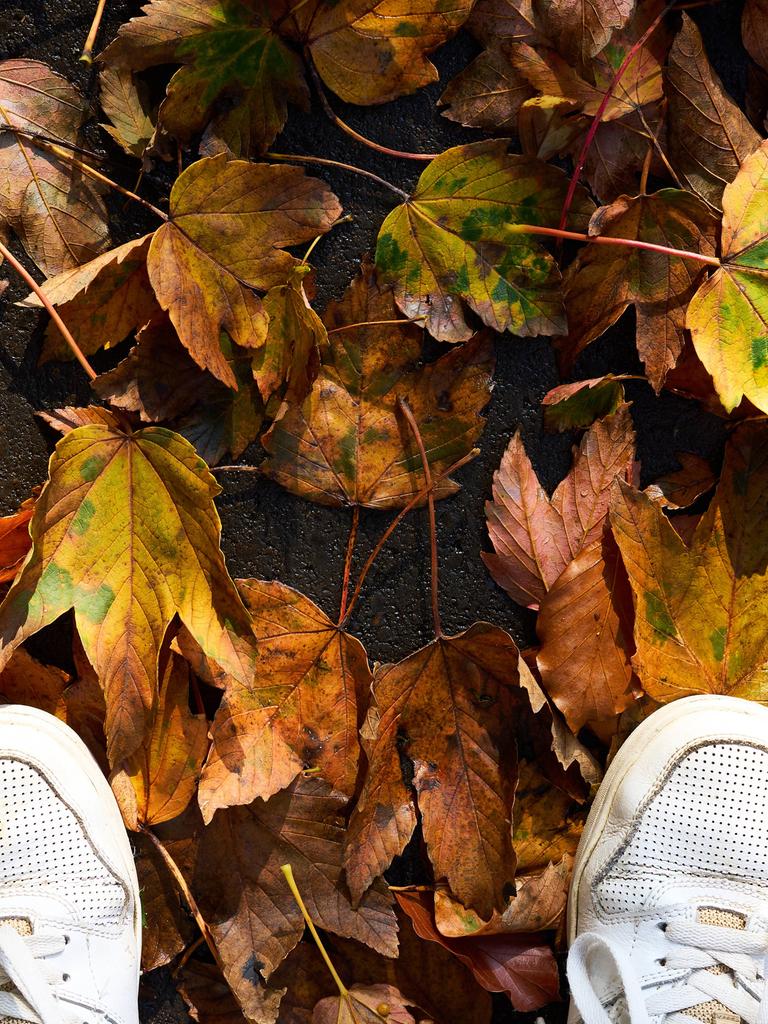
point(23, 966)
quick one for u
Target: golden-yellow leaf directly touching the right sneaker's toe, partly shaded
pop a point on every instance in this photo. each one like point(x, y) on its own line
point(697, 629)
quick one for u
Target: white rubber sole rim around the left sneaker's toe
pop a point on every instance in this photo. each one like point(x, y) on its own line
point(51, 729)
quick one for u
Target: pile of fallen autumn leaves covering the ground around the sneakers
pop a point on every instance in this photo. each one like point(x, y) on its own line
point(242, 729)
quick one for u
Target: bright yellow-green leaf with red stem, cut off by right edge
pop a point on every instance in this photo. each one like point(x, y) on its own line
point(729, 316)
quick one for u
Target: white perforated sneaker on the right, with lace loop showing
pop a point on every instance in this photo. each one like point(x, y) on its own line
point(668, 915)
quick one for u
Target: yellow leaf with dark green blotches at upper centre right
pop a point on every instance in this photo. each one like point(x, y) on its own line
point(452, 243)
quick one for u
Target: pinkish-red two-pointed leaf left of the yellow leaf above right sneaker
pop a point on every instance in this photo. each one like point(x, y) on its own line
point(535, 538)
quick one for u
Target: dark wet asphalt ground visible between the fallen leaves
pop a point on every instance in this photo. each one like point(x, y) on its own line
point(267, 532)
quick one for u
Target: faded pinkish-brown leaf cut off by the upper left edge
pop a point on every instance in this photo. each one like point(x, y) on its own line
point(58, 215)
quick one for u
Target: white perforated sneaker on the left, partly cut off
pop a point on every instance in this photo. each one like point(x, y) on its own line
point(70, 912)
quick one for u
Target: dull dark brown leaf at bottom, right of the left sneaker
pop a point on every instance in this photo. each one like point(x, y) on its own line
point(233, 868)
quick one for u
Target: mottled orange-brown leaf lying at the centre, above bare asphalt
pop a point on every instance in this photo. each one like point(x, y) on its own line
point(348, 444)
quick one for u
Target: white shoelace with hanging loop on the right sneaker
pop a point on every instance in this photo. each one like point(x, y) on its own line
point(696, 949)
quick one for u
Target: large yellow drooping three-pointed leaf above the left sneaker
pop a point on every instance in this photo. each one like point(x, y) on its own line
point(125, 533)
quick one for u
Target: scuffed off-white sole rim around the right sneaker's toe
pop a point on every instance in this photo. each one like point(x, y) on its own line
point(629, 755)
